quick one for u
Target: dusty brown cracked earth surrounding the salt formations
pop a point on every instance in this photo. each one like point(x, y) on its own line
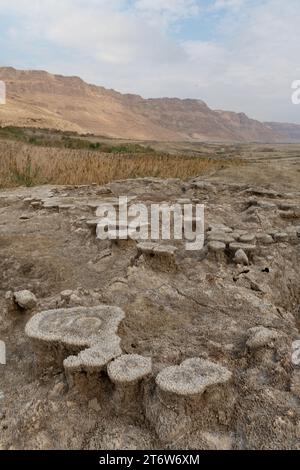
point(205, 307)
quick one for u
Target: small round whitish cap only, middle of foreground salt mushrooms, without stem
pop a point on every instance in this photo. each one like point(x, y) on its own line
point(129, 369)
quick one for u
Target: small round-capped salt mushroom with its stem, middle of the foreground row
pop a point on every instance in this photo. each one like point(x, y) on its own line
point(127, 373)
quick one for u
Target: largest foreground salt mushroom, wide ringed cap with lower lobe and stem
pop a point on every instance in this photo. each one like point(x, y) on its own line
point(82, 339)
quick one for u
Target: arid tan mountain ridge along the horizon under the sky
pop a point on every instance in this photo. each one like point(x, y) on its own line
point(40, 99)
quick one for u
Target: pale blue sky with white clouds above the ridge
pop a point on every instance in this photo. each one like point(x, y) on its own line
point(239, 55)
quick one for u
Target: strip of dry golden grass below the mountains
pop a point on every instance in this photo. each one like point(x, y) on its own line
point(25, 165)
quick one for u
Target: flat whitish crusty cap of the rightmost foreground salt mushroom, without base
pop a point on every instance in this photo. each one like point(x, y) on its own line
point(192, 377)
